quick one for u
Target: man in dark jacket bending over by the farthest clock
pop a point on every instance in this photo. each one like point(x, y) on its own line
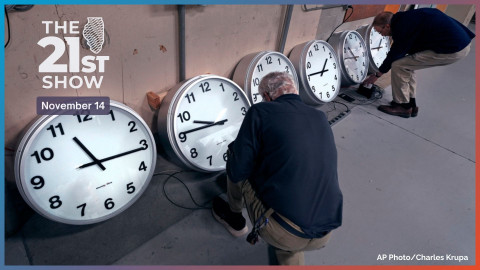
point(422, 38)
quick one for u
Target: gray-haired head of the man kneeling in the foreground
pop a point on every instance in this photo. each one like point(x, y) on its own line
point(276, 84)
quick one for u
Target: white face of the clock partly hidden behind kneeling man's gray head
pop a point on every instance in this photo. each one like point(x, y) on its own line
point(263, 64)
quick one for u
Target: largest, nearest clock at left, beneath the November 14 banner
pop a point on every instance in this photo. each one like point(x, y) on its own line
point(82, 169)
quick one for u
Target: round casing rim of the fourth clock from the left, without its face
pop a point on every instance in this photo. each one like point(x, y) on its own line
point(311, 98)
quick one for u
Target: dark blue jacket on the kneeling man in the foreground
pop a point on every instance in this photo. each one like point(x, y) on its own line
point(287, 151)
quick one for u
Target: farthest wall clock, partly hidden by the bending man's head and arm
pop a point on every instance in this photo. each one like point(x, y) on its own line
point(378, 46)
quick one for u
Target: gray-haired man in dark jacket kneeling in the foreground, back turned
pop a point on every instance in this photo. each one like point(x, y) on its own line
point(283, 165)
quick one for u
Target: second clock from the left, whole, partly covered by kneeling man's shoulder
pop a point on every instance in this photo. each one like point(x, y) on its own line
point(198, 119)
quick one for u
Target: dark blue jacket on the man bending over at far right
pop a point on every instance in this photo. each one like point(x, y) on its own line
point(425, 29)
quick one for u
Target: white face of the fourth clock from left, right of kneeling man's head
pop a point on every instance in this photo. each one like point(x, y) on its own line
point(322, 71)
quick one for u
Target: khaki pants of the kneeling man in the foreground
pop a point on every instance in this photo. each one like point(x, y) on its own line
point(288, 247)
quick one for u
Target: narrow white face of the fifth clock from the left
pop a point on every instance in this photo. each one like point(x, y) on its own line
point(355, 57)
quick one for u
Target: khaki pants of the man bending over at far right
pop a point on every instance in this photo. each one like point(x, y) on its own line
point(403, 70)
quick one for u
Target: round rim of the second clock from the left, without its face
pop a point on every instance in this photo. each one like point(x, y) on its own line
point(170, 117)
